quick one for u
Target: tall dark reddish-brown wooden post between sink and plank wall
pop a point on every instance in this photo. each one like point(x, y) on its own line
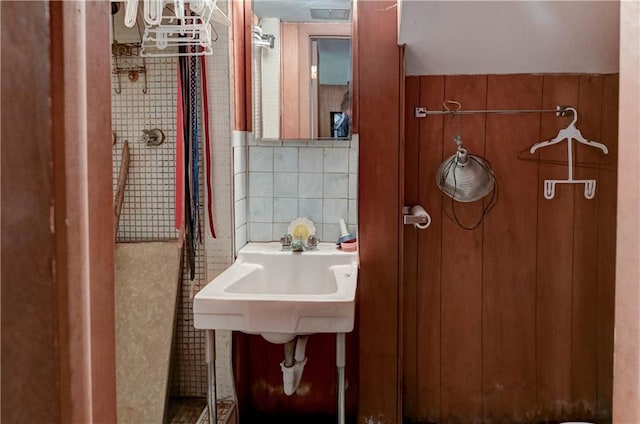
point(379, 210)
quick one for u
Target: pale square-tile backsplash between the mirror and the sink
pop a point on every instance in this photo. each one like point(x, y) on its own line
point(286, 180)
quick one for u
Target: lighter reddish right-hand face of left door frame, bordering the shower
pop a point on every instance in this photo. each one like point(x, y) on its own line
point(100, 210)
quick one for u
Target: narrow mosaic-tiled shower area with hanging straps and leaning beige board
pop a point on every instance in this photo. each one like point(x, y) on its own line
point(171, 145)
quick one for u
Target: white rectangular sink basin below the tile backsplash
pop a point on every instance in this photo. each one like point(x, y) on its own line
point(280, 294)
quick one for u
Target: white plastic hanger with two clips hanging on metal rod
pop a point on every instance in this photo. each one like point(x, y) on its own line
point(570, 133)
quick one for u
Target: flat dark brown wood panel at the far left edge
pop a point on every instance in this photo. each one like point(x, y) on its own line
point(30, 393)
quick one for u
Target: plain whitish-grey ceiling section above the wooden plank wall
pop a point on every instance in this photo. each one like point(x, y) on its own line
point(504, 37)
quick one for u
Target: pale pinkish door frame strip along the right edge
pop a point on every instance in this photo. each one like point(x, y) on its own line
point(626, 377)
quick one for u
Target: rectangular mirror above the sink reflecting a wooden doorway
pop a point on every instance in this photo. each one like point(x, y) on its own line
point(302, 69)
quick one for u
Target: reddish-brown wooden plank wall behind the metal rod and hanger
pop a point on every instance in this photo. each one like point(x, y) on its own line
point(513, 321)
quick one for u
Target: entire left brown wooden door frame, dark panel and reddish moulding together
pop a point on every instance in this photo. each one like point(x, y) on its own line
point(58, 344)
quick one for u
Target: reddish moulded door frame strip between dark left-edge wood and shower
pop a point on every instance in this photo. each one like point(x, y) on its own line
point(81, 95)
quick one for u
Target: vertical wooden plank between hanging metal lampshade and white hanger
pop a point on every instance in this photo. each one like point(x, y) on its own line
point(509, 238)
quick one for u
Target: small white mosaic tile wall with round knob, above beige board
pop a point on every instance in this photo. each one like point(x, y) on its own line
point(148, 207)
